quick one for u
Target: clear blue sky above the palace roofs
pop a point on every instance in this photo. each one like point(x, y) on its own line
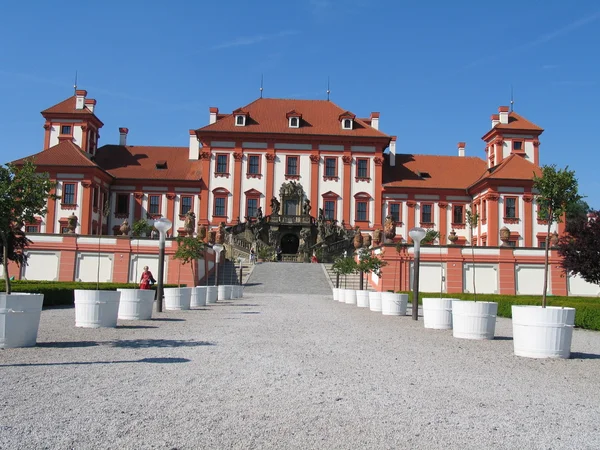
point(436, 73)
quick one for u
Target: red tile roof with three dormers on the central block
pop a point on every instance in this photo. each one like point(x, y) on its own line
point(268, 115)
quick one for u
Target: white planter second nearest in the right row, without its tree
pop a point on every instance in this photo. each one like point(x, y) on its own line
point(474, 320)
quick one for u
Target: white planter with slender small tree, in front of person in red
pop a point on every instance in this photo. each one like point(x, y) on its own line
point(136, 304)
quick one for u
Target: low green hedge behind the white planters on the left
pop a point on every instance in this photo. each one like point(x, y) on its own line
point(61, 292)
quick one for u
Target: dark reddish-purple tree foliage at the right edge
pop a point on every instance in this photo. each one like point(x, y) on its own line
point(580, 248)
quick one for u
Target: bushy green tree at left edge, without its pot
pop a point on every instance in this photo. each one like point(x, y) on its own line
point(23, 195)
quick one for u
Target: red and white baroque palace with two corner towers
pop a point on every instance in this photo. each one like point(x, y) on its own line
point(348, 169)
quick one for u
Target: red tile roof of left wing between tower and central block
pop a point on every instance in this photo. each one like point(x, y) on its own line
point(139, 162)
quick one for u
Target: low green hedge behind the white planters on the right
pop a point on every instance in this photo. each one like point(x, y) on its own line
point(587, 315)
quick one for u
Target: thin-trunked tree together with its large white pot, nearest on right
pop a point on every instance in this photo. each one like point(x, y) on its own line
point(546, 331)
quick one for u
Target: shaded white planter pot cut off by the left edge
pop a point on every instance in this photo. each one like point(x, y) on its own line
point(19, 319)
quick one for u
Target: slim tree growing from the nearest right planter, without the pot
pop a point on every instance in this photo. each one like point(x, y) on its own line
point(557, 190)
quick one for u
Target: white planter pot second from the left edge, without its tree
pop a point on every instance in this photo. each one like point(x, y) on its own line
point(95, 309)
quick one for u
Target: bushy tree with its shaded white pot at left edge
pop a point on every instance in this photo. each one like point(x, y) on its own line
point(23, 195)
